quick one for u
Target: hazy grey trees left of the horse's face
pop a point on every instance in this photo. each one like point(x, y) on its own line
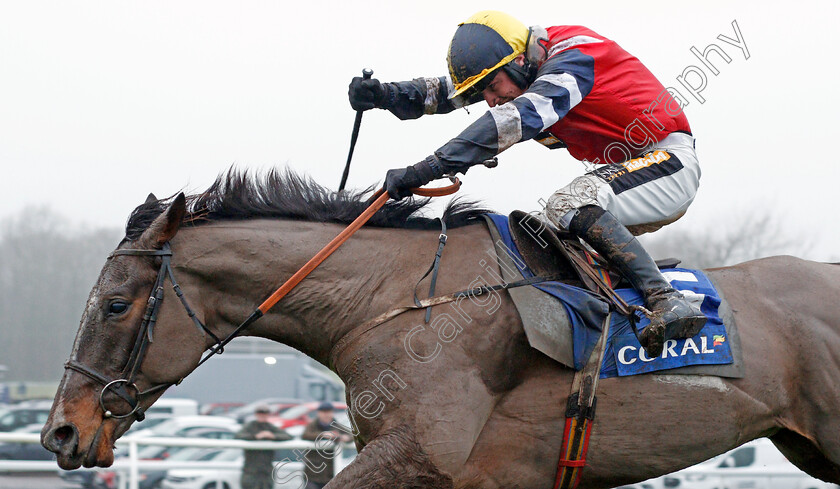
point(47, 267)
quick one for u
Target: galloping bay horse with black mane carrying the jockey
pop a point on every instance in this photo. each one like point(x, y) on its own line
point(464, 403)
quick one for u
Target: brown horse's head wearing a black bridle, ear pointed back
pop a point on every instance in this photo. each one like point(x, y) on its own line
point(121, 361)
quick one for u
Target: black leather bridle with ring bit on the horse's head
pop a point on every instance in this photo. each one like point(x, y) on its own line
point(125, 386)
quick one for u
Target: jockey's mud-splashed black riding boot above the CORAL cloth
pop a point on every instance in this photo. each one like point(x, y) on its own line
point(673, 316)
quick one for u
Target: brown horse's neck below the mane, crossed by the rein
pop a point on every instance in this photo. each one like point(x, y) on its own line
point(235, 266)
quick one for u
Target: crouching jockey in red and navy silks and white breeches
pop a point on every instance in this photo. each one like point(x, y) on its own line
point(565, 87)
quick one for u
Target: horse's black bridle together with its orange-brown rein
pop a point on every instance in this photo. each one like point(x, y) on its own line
point(125, 386)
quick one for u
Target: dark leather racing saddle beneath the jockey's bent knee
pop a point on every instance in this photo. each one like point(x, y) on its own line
point(550, 252)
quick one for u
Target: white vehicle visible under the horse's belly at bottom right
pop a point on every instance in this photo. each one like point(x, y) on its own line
point(757, 464)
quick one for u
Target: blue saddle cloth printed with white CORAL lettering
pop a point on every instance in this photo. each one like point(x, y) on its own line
point(624, 355)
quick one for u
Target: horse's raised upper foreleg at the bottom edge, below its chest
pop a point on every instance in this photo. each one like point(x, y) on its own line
point(394, 459)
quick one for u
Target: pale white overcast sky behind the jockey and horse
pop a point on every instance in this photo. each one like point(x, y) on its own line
point(102, 102)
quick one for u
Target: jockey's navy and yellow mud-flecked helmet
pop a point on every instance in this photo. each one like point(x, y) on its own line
point(485, 42)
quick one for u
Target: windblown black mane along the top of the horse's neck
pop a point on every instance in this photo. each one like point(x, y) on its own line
point(237, 195)
